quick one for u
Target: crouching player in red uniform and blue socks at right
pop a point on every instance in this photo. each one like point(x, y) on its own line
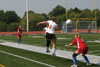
point(82, 48)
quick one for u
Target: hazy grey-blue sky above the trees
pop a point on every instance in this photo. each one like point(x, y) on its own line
point(43, 6)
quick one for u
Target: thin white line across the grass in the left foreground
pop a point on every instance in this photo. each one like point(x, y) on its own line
point(26, 58)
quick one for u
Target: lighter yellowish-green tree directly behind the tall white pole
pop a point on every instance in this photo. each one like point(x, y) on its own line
point(33, 19)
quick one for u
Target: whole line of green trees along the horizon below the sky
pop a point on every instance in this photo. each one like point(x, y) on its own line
point(9, 20)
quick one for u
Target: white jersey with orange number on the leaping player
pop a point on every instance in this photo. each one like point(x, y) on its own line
point(52, 27)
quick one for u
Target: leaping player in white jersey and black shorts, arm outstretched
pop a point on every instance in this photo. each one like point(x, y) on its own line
point(51, 32)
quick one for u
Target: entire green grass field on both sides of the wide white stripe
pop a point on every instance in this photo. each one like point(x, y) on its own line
point(39, 40)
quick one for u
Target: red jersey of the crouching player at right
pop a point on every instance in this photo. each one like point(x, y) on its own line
point(80, 43)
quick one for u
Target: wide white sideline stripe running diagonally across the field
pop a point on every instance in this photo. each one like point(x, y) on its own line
point(59, 53)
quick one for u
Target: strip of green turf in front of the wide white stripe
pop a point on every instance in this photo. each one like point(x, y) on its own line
point(11, 61)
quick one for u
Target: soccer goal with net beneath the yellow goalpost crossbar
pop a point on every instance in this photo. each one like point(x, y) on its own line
point(80, 26)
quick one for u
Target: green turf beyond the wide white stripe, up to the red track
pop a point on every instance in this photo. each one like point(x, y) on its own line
point(39, 40)
